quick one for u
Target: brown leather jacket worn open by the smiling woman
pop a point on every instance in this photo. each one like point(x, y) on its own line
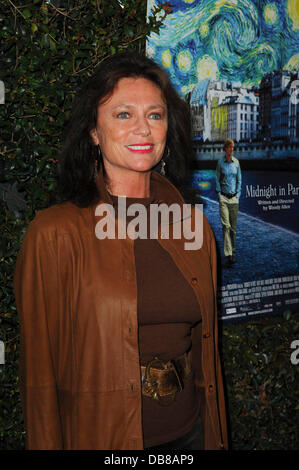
point(77, 304)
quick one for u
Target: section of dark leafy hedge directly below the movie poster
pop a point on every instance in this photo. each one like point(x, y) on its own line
point(261, 383)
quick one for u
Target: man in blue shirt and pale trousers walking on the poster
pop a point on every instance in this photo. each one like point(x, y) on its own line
point(228, 188)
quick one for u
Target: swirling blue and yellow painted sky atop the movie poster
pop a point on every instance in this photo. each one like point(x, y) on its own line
point(234, 40)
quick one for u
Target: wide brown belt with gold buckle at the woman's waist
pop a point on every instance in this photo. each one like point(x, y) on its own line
point(162, 380)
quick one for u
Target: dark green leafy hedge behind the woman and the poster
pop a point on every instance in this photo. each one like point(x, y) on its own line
point(47, 50)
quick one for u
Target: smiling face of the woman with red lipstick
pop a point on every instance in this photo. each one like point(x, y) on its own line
point(131, 127)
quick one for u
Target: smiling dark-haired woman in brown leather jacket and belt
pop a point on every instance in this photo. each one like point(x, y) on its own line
point(119, 336)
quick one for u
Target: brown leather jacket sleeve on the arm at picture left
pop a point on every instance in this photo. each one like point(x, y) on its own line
point(36, 293)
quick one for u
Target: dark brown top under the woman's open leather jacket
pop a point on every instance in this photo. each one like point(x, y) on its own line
point(167, 310)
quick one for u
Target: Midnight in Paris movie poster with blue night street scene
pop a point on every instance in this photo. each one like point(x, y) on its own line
point(236, 62)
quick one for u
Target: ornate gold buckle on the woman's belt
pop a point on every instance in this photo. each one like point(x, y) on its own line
point(151, 386)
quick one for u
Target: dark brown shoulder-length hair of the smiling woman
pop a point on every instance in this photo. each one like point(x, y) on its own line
point(77, 161)
